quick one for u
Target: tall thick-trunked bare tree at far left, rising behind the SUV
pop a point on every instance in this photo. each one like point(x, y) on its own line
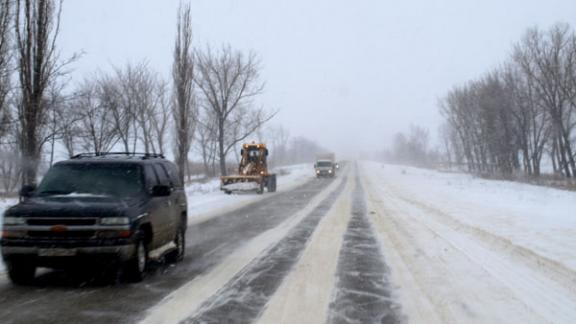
point(36, 29)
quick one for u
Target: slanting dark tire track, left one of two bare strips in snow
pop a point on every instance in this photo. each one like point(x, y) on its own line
point(243, 299)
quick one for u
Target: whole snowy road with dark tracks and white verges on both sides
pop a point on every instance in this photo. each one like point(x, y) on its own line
point(377, 244)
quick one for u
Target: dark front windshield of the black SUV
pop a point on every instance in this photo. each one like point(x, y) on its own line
point(120, 180)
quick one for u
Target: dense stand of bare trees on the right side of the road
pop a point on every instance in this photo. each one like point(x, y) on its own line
point(521, 114)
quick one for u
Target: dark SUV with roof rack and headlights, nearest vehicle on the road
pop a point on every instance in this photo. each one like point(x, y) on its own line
point(119, 207)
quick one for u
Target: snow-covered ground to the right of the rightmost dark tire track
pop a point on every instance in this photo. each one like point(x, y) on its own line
point(463, 249)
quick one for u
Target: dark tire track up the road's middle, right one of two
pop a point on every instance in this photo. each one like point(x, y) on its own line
point(363, 290)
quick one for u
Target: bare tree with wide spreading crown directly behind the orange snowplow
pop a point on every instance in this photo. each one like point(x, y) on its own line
point(229, 81)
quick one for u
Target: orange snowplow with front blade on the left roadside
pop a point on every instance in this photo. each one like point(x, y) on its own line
point(253, 172)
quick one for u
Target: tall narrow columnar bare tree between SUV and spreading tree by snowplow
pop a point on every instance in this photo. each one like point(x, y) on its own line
point(185, 108)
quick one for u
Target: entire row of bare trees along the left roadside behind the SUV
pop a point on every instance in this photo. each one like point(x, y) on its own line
point(207, 107)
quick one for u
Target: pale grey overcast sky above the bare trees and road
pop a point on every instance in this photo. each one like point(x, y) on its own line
point(349, 74)
